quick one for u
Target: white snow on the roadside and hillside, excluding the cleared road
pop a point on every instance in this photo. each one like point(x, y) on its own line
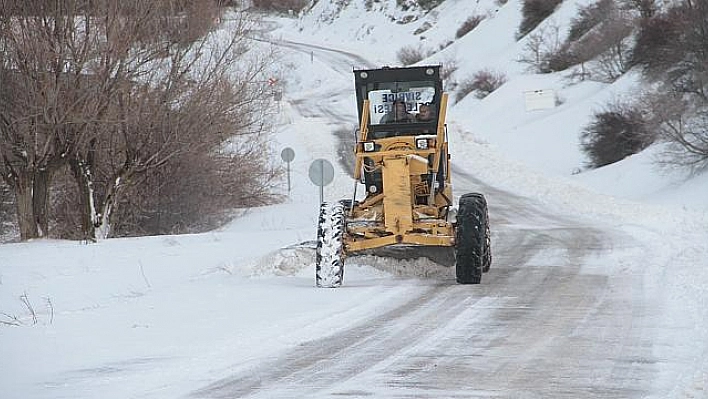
point(170, 316)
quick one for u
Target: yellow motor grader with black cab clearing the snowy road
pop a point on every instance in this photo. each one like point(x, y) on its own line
point(403, 163)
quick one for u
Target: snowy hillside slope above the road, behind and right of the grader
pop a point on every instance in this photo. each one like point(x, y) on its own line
point(546, 140)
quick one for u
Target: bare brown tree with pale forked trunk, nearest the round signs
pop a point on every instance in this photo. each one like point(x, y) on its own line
point(210, 127)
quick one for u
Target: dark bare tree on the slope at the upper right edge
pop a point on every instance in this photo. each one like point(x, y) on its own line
point(671, 49)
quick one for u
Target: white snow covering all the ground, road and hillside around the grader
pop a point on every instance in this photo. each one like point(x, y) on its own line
point(598, 287)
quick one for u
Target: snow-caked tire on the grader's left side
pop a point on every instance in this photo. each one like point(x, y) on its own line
point(329, 263)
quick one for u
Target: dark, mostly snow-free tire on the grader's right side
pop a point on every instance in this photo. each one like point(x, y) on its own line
point(472, 250)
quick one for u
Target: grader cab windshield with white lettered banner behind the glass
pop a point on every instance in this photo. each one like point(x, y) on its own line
point(402, 102)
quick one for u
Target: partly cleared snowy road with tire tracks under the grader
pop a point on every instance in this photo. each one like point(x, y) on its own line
point(548, 321)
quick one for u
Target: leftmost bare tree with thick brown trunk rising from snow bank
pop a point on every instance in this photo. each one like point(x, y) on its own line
point(41, 80)
